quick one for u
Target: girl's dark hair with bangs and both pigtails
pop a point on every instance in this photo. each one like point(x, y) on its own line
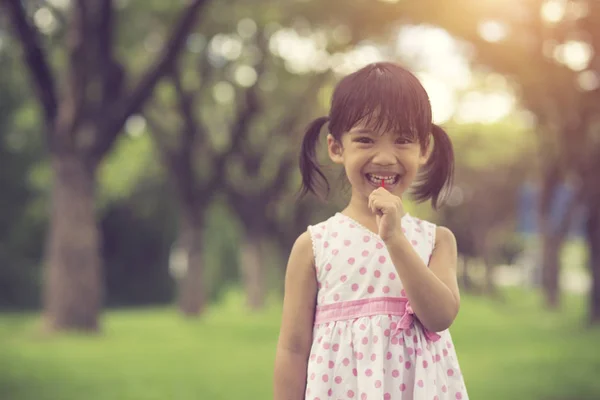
point(385, 96)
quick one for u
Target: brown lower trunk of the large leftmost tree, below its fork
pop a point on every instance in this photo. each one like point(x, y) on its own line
point(73, 289)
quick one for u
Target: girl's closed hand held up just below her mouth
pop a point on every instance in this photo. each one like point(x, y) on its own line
point(389, 211)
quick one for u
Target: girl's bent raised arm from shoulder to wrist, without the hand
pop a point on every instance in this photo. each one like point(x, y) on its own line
point(433, 292)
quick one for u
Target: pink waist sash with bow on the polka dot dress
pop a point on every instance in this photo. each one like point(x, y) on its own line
point(348, 310)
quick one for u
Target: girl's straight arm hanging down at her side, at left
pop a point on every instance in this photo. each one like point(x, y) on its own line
point(295, 337)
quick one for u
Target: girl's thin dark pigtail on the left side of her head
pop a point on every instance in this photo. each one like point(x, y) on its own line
point(308, 158)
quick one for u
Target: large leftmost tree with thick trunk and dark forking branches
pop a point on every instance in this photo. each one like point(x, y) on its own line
point(82, 123)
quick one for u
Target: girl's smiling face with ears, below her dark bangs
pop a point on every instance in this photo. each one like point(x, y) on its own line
point(370, 157)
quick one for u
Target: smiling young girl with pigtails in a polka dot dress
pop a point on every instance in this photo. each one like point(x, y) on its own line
point(371, 292)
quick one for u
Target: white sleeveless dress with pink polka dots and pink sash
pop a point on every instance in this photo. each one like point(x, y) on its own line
point(367, 344)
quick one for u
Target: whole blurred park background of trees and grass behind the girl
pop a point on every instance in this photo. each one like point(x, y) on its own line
point(148, 181)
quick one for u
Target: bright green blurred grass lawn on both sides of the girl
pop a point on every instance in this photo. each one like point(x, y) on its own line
point(509, 350)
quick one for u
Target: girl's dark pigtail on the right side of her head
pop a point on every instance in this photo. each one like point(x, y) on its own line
point(437, 174)
